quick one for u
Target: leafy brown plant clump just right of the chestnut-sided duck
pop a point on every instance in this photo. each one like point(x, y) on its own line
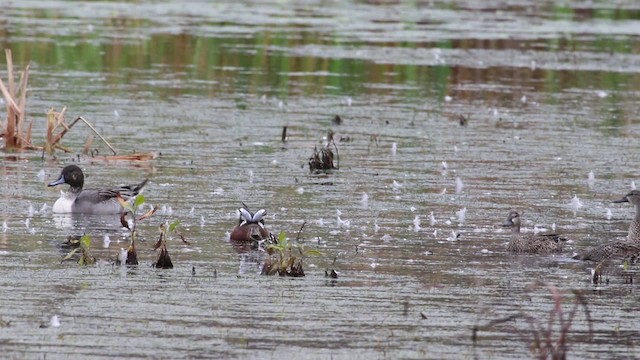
point(286, 257)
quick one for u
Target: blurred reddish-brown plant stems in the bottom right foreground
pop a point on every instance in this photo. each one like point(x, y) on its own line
point(549, 333)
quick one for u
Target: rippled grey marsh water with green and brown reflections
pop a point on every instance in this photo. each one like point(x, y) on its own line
point(550, 93)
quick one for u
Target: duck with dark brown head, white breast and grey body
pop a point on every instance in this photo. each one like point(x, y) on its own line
point(90, 201)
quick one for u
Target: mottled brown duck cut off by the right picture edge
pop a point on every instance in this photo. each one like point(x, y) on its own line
point(620, 249)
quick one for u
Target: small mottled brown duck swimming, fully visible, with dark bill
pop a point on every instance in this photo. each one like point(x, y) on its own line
point(531, 243)
